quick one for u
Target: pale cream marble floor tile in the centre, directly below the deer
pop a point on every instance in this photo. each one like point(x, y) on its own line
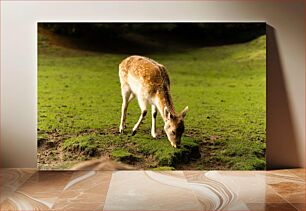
point(148, 190)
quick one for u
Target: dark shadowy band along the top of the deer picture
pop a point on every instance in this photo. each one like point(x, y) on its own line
point(154, 37)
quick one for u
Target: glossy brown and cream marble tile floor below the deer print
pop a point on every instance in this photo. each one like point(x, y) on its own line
point(29, 189)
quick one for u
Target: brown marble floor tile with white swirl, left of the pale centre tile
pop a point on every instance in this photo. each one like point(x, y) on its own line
point(60, 190)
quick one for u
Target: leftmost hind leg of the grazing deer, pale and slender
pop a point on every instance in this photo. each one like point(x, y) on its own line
point(126, 98)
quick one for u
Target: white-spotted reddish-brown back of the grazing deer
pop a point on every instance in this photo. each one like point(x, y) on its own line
point(146, 72)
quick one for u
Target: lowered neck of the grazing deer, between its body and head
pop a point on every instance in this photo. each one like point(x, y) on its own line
point(164, 99)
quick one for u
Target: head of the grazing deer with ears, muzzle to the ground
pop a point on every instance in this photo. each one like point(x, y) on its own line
point(174, 126)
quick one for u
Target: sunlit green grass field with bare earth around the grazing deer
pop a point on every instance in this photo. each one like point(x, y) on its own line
point(79, 106)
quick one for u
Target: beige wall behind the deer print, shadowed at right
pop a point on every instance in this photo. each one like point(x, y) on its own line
point(19, 69)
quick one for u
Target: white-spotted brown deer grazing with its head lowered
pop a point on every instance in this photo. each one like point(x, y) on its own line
point(149, 82)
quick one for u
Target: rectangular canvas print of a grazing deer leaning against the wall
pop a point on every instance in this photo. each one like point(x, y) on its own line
point(153, 96)
